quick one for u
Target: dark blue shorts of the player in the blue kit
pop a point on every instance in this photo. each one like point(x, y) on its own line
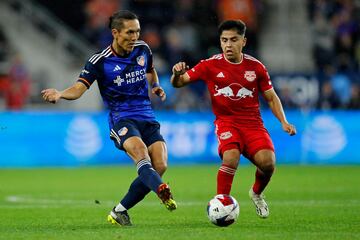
point(148, 131)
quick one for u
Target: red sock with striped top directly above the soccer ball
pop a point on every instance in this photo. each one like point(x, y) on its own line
point(224, 179)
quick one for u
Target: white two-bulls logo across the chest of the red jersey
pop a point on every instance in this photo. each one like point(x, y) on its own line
point(234, 91)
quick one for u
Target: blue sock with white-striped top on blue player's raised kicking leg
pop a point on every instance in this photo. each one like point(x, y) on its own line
point(148, 175)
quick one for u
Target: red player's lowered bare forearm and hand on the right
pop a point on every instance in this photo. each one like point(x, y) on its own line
point(277, 109)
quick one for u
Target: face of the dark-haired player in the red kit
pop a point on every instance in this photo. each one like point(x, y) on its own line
point(232, 44)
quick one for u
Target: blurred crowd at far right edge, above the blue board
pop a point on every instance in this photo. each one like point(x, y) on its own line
point(336, 51)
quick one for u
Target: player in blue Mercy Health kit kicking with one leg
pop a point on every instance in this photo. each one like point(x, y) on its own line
point(124, 70)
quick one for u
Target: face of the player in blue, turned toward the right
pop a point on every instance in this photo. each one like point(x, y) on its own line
point(126, 37)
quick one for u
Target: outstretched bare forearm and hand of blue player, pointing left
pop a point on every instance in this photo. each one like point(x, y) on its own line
point(72, 93)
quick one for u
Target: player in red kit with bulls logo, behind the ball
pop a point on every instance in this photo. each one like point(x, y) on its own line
point(234, 81)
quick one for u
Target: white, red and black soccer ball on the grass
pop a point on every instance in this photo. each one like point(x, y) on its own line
point(223, 210)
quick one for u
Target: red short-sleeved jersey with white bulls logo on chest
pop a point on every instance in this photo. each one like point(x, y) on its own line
point(234, 87)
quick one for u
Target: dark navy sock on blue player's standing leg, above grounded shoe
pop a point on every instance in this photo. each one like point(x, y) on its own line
point(137, 191)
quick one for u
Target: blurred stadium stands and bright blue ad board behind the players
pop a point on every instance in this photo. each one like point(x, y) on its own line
point(311, 49)
